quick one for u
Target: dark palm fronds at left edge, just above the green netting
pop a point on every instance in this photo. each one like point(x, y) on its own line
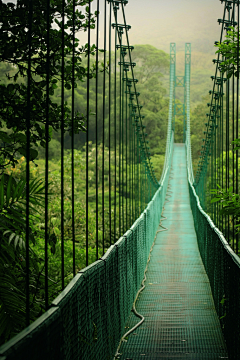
point(13, 266)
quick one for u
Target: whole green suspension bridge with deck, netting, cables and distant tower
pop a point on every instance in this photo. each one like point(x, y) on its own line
point(160, 278)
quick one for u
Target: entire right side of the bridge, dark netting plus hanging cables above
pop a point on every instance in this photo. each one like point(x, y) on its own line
point(216, 235)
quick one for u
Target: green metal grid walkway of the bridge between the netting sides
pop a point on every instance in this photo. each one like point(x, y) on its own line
point(180, 318)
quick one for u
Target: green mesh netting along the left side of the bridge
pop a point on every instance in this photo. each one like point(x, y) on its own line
point(86, 321)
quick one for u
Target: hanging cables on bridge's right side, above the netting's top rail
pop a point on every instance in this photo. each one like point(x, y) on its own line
point(217, 177)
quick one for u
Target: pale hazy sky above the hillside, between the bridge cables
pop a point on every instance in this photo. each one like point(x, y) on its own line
point(159, 22)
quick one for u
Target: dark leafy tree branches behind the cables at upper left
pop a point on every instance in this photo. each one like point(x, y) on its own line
point(34, 73)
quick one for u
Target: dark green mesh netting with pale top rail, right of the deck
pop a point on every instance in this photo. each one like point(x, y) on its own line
point(223, 269)
